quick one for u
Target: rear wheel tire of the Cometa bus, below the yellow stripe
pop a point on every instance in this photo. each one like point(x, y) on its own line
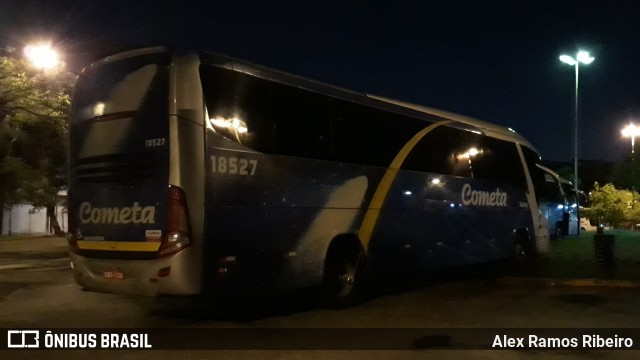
point(343, 275)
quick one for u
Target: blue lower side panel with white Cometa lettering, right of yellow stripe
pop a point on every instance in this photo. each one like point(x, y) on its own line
point(434, 225)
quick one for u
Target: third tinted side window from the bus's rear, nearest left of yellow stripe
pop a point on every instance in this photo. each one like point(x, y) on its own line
point(359, 133)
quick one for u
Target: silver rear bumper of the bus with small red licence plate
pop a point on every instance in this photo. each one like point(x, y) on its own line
point(174, 275)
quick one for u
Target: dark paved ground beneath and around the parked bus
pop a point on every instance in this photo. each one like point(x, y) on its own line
point(439, 319)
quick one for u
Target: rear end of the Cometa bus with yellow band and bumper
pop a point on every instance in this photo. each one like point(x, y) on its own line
point(129, 222)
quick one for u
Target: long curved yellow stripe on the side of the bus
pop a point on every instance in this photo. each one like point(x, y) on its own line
point(371, 217)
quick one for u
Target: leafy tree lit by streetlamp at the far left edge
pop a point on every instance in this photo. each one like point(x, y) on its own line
point(33, 125)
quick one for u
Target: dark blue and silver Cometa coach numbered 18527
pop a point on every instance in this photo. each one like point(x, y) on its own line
point(196, 173)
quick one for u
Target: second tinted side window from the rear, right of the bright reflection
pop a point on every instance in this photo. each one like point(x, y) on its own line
point(302, 123)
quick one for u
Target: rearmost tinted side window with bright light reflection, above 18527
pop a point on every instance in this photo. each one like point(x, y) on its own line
point(238, 106)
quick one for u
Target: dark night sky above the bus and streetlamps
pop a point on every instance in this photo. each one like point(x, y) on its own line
point(493, 60)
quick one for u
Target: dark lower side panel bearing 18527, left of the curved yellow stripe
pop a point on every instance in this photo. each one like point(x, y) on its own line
point(269, 219)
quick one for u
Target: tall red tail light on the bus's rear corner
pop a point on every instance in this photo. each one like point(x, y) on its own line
point(178, 234)
